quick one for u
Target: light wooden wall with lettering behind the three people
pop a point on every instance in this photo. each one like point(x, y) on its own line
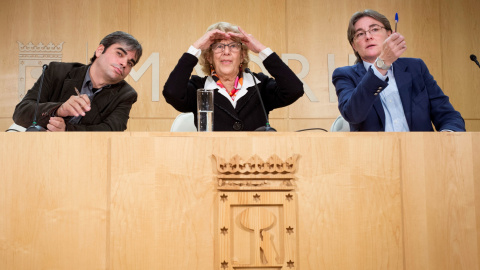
point(443, 33)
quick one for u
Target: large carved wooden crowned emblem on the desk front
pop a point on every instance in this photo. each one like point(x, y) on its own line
point(257, 225)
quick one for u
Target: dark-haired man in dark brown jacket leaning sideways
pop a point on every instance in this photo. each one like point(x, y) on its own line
point(77, 97)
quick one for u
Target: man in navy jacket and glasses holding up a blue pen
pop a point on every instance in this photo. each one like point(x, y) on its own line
point(383, 92)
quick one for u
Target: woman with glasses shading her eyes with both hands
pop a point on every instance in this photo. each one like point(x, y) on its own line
point(223, 54)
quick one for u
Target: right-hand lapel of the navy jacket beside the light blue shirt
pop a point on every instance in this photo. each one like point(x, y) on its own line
point(404, 85)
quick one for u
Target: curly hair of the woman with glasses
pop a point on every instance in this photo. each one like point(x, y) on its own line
point(206, 54)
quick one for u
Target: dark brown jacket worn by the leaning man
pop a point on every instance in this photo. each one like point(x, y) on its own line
point(110, 108)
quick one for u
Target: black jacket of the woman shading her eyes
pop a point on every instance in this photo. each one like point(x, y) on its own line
point(181, 92)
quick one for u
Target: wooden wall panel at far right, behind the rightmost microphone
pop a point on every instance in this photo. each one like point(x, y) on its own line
point(460, 25)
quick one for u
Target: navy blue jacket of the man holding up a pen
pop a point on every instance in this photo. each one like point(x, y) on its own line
point(423, 101)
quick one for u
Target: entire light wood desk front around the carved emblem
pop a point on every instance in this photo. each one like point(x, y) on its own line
point(147, 200)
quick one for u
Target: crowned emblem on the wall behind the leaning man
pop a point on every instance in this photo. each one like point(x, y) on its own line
point(33, 57)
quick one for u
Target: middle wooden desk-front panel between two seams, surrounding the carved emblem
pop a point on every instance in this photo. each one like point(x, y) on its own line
point(148, 186)
